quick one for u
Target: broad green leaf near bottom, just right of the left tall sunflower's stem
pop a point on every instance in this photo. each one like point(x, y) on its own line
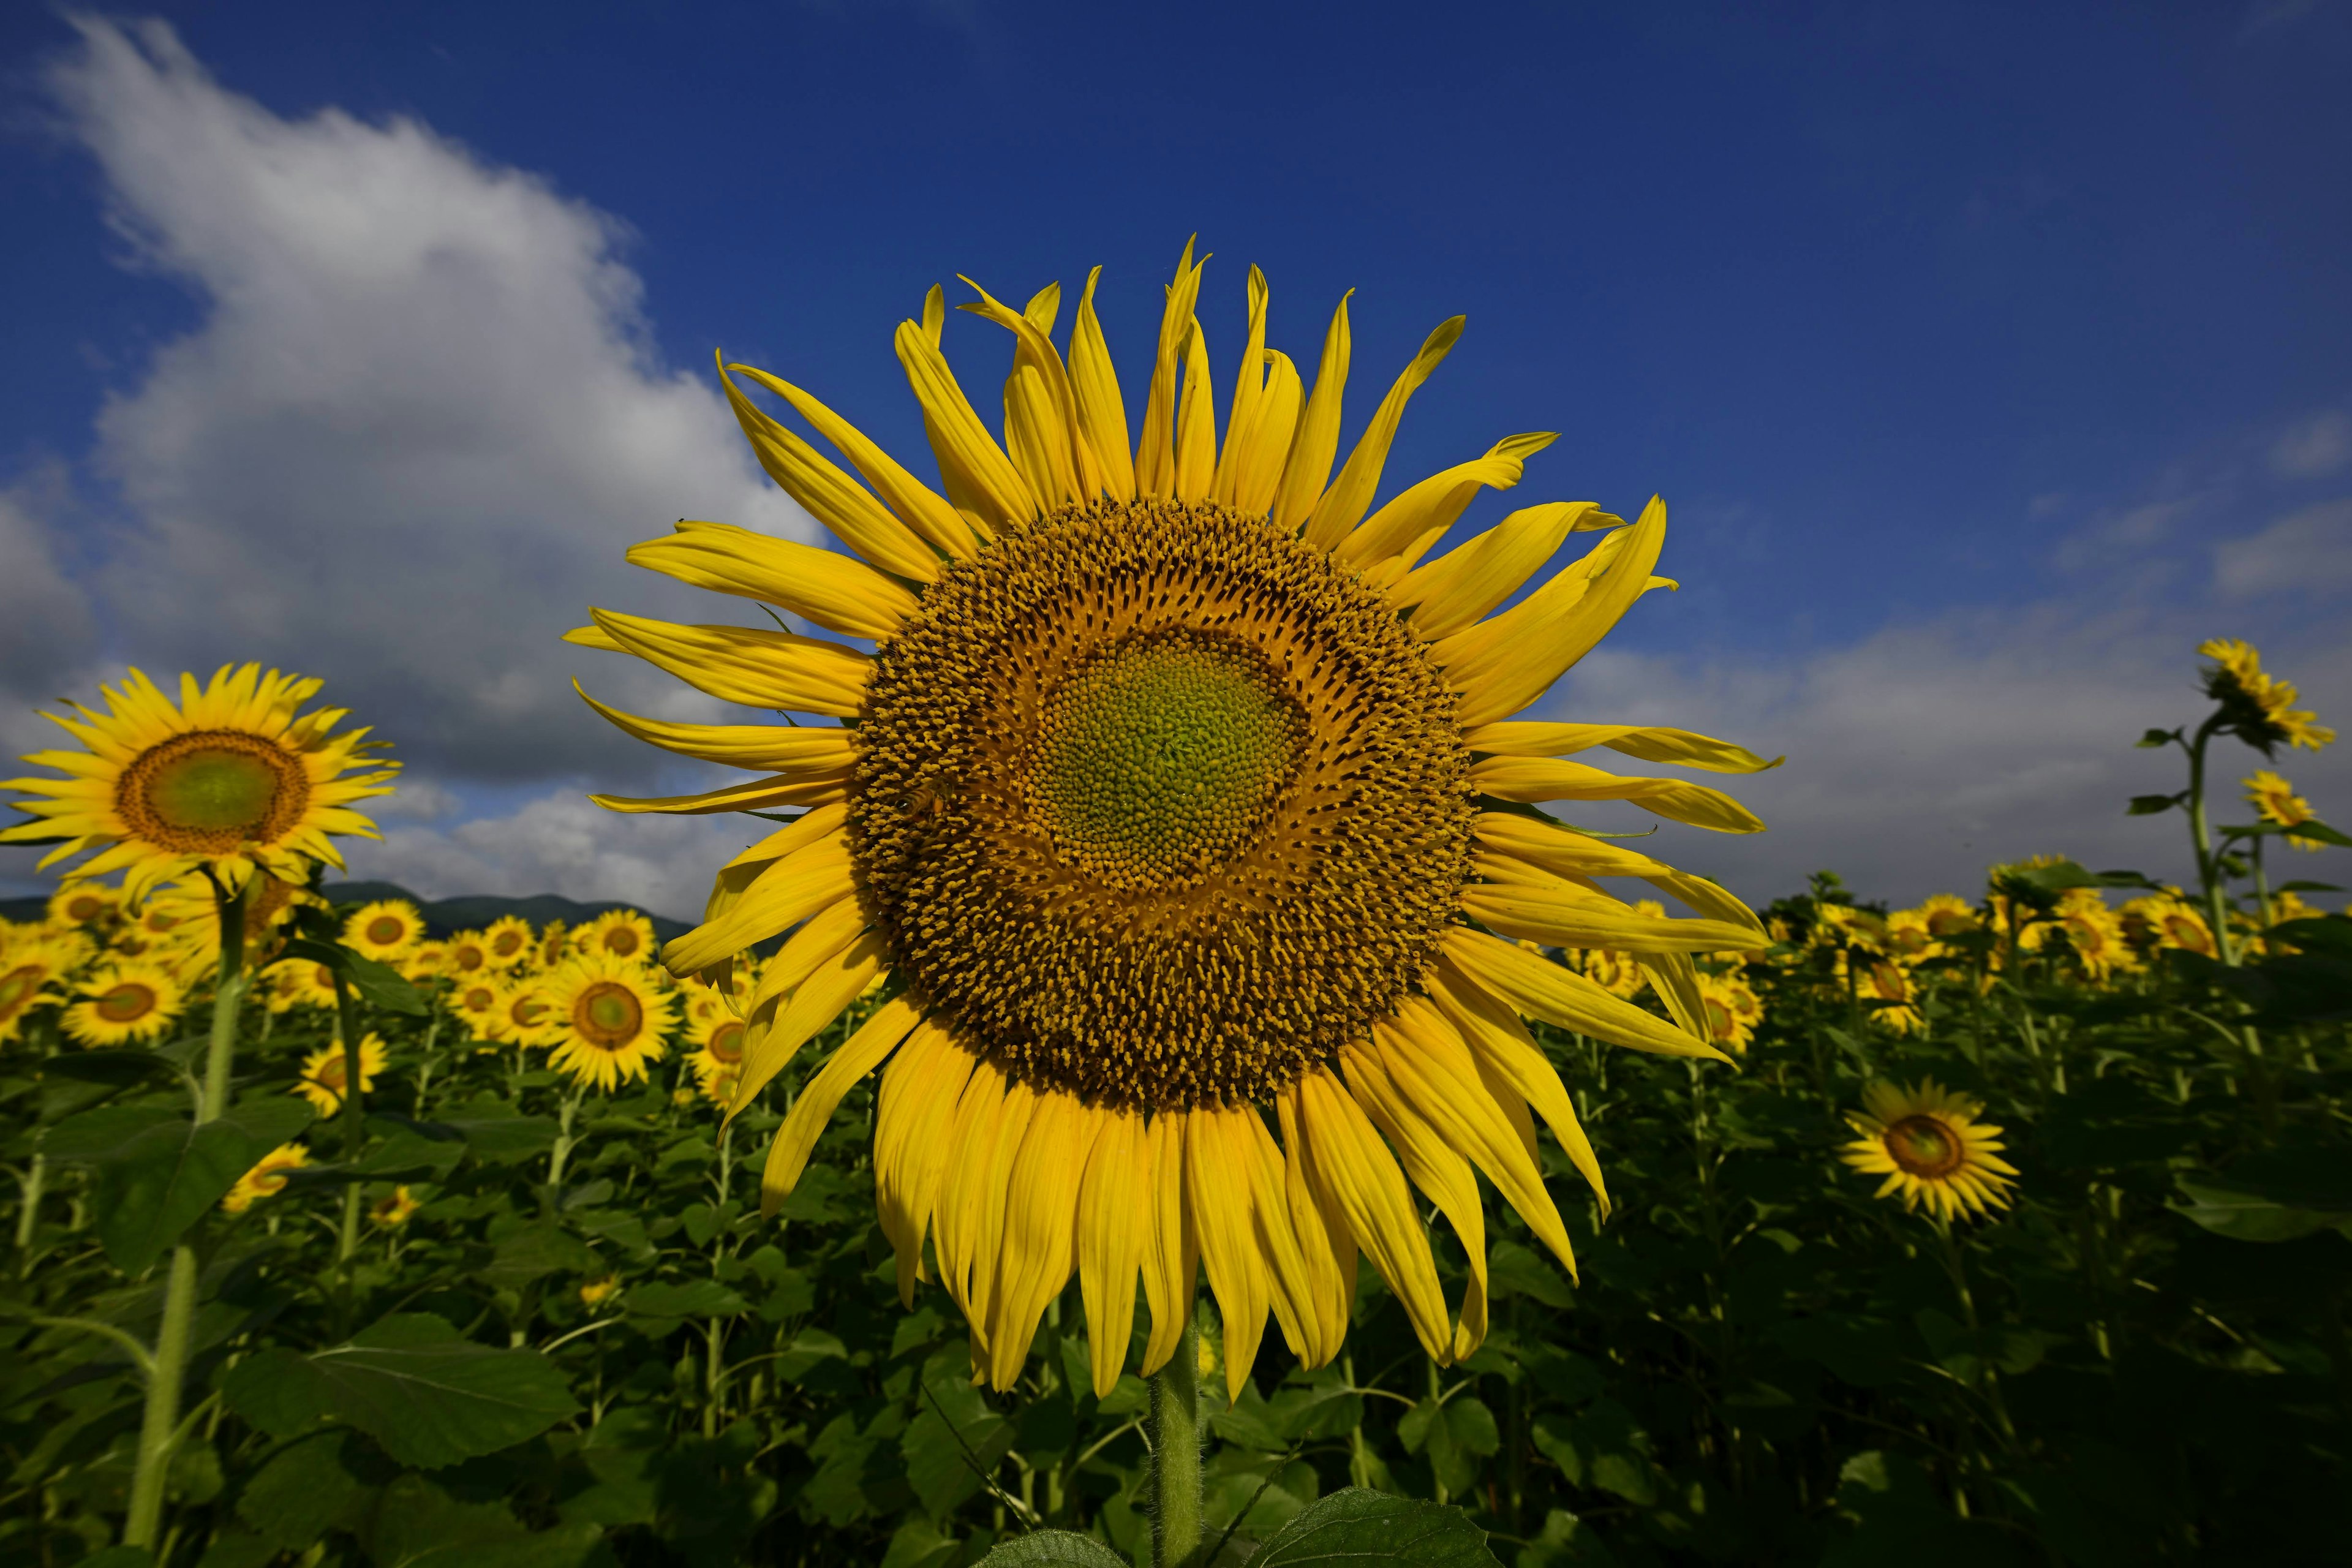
point(427, 1395)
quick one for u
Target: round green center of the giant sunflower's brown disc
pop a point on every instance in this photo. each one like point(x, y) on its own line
point(1161, 756)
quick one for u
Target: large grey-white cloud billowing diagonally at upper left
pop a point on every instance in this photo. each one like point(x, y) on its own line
point(415, 429)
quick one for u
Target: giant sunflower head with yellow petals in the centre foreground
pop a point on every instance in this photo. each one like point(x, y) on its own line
point(1175, 786)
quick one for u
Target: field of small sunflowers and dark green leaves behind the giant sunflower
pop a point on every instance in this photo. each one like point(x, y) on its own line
point(2019, 1235)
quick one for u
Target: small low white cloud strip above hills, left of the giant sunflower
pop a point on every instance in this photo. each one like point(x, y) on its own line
point(561, 845)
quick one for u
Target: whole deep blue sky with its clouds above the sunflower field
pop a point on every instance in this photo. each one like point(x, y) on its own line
point(1986, 356)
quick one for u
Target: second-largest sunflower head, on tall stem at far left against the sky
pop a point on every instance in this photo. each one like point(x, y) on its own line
point(232, 779)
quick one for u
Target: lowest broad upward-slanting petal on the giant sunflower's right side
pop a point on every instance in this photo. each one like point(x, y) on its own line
point(1509, 662)
